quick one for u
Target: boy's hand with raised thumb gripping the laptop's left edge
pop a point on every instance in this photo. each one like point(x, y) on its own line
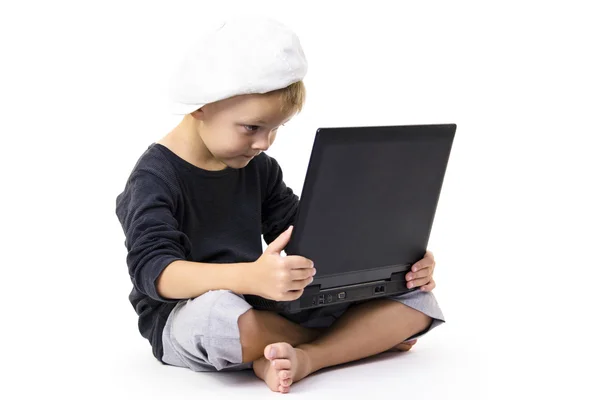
point(281, 278)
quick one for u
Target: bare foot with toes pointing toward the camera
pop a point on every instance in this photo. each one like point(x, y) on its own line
point(281, 366)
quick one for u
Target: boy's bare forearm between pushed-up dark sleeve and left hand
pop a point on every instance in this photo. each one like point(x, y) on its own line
point(187, 279)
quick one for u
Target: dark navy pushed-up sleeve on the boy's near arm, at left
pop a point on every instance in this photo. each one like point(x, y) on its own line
point(146, 211)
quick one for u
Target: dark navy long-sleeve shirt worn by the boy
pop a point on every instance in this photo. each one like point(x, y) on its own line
point(172, 210)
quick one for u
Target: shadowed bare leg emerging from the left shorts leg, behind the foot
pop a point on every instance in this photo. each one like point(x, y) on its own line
point(260, 328)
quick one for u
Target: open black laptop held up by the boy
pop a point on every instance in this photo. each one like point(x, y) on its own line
point(366, 211)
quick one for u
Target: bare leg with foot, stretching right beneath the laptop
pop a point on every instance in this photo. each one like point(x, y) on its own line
point(364, 330)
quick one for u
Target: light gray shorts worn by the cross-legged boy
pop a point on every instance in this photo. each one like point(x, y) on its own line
point(202, 334)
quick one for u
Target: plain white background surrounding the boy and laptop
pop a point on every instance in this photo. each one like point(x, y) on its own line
point(83, 93)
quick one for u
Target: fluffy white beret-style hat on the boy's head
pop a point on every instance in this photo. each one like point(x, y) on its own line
point(242, 56)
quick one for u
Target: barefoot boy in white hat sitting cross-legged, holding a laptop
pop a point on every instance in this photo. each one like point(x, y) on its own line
point(195, 206)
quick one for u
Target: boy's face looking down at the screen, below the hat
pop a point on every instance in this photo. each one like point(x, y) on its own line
point(237, 129)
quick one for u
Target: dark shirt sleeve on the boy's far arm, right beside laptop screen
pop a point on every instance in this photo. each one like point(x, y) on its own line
point(280, 207)
